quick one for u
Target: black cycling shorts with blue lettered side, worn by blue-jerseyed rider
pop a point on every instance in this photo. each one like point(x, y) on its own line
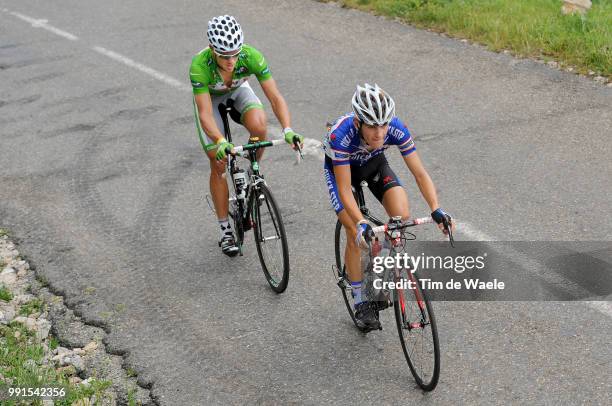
point(376, 172)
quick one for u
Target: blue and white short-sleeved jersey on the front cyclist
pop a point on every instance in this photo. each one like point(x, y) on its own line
point(344, 145)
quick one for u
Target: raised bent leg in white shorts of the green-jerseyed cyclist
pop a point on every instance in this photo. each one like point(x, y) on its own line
point(251, 111)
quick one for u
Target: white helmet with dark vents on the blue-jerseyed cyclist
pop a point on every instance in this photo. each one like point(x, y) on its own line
point(372, 105)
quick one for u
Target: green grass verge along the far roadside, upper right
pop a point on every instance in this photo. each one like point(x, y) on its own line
point(528, 28)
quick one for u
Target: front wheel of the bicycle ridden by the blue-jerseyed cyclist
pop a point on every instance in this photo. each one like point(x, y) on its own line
point(418, 333)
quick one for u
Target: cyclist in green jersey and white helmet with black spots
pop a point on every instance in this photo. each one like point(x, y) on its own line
point(219, 73)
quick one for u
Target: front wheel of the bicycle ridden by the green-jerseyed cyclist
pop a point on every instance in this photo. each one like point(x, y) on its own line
point(270, 238)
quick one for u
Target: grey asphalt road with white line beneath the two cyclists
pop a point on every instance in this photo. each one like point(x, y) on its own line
point(103, 182)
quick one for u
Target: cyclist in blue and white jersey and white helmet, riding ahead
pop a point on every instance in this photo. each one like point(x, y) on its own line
point(354, 151)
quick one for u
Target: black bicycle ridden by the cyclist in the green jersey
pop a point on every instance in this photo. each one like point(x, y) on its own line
point(252, 205)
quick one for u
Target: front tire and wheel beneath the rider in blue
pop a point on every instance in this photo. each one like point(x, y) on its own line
point(417, 299)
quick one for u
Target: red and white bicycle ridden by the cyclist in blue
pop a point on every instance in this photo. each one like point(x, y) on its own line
point(412, 308)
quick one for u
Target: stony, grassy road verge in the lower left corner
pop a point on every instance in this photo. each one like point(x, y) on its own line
point(28, 354)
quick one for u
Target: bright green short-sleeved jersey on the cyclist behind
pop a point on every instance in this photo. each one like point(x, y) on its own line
point(205, 77)
